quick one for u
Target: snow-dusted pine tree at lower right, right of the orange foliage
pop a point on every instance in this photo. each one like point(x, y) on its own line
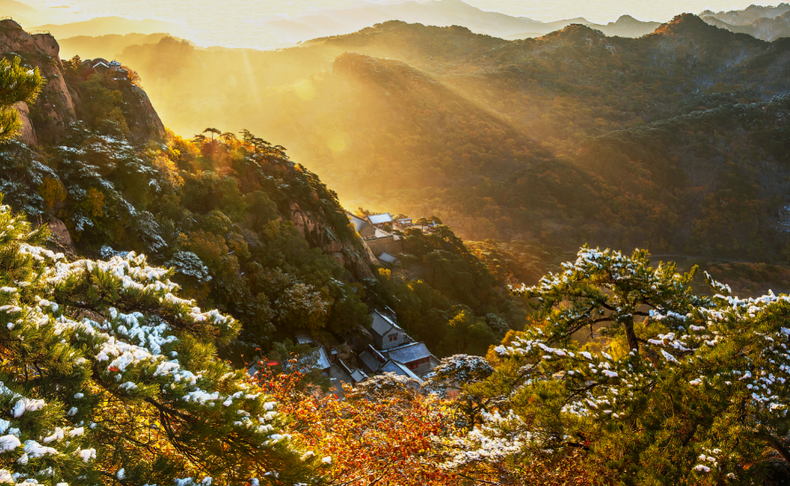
point(671, 388)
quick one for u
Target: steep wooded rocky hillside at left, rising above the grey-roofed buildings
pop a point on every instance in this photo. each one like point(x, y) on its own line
point(247, 230)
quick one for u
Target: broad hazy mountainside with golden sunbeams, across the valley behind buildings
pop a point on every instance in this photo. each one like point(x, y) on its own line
point(506, 139)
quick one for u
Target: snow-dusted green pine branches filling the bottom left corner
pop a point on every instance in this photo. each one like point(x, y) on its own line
point(108, 377)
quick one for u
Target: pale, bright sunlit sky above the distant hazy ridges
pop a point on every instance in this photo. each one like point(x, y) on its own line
point(216, 21)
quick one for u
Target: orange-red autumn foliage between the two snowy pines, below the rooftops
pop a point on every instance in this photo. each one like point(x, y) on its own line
point(388, 438)
